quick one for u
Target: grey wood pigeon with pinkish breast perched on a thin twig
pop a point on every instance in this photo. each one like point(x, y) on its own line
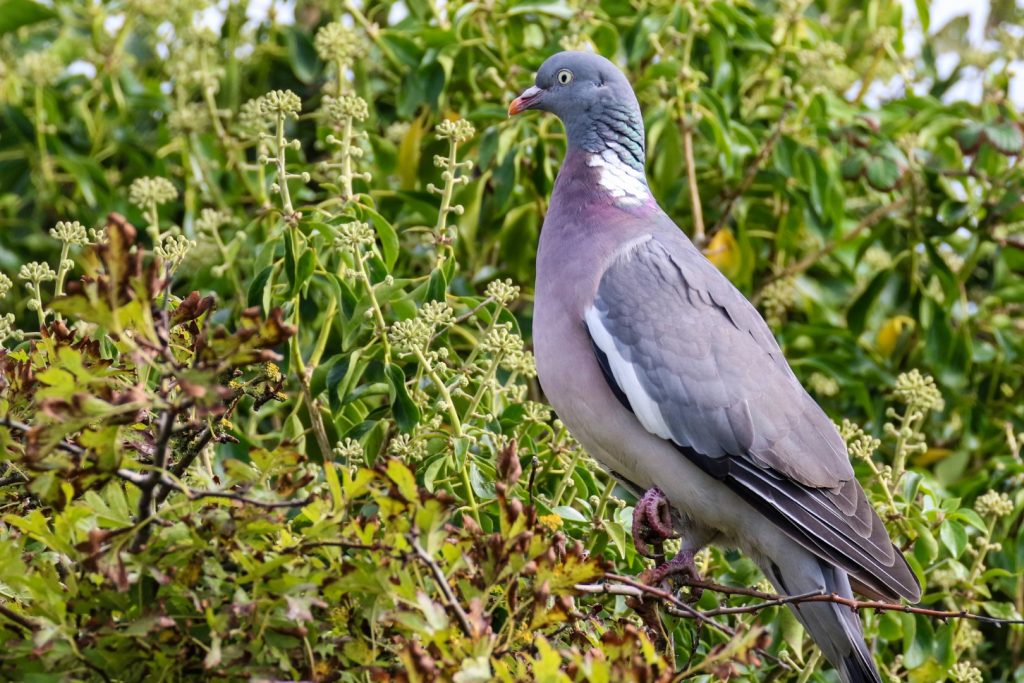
point(671, 379)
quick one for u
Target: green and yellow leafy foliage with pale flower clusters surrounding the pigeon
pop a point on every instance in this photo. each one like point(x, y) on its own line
point(340, 466)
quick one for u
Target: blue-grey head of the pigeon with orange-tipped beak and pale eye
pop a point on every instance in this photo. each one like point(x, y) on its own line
point(595, 103)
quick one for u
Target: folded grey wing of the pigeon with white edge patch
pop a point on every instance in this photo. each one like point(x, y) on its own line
point(687, 353)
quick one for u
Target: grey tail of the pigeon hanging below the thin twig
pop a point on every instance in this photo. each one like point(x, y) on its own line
point(835, 628)
